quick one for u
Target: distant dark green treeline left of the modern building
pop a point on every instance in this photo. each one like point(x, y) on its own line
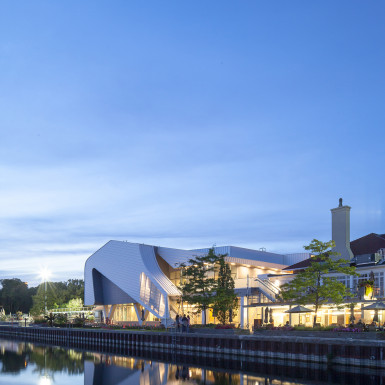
point(15, 295)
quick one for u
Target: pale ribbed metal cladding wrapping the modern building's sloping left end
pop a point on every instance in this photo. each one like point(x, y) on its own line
point(122, 263)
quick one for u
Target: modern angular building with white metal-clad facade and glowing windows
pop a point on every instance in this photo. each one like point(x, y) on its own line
point(134, 282)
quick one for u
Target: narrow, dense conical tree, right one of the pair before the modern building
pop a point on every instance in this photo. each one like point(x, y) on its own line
point(225, 300)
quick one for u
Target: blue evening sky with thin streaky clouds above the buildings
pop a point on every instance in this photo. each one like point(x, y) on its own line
point(186, 124)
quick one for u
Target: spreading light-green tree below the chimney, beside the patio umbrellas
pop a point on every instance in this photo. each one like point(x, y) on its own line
point(314, 285)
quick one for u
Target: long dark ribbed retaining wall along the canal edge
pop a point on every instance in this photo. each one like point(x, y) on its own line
point(343, 351)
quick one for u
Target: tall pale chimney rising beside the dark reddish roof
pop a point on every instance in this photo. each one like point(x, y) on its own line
point(341, 231)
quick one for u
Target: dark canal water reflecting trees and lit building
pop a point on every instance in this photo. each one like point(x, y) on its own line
point(24, 363)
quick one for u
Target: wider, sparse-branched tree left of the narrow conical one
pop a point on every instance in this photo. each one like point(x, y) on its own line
point(198, 284)
